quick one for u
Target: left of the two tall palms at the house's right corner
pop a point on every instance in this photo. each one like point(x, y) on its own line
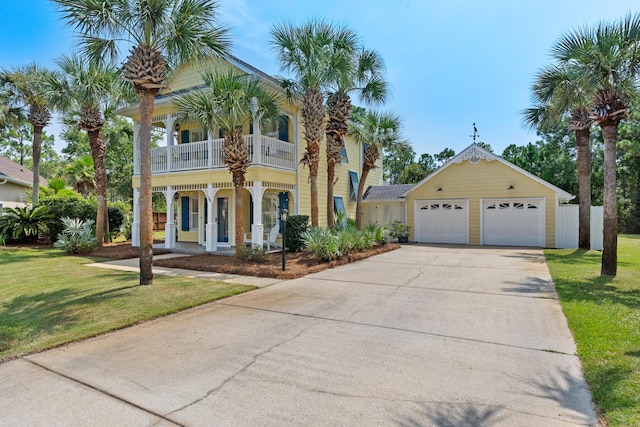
point(310, 53)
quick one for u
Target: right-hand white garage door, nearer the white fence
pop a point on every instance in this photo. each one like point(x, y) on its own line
point(513, 222)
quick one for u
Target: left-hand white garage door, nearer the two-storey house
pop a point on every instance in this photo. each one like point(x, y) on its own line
point(441, 221)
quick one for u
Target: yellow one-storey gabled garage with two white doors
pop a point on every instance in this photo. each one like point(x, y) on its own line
point(477, 198)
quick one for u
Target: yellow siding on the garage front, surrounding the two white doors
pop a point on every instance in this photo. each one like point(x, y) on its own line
point(483, 180)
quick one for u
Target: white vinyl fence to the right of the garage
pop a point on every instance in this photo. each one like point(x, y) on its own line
point(567, 227)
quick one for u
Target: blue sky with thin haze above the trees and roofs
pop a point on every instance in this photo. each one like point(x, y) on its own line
point(450, 64)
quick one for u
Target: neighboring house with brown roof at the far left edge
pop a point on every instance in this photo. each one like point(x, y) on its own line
point(15, 180)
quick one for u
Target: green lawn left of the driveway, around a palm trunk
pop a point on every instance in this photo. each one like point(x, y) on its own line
point(48, 299)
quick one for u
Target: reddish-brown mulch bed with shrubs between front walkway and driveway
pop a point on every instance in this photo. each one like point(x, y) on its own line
point(297, 264)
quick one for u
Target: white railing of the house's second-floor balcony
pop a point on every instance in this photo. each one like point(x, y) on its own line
point(208, 154)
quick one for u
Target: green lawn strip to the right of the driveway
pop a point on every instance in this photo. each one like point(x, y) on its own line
point(604, 315)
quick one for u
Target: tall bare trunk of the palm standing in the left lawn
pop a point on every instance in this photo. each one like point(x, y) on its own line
point(145, 98)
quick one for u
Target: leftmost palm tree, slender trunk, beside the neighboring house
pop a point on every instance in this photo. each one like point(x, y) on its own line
point(24, 86)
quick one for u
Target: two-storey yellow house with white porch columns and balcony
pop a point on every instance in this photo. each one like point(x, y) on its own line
point(188, 170)
